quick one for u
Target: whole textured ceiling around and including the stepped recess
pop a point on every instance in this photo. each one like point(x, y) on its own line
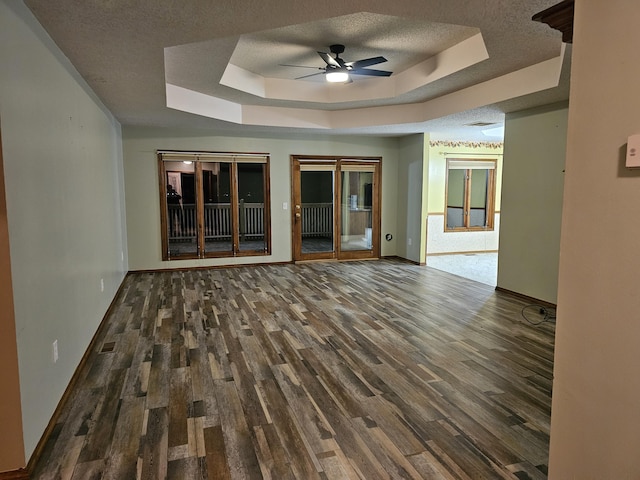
point(128, 51)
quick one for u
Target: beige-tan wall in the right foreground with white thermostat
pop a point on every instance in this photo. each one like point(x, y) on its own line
point(595, 419)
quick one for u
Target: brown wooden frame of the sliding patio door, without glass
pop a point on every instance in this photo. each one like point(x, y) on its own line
point(376, 199)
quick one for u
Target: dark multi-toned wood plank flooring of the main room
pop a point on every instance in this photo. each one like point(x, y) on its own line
point(355, 370)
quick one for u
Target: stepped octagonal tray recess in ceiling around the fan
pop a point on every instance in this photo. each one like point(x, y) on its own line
point(428, 59)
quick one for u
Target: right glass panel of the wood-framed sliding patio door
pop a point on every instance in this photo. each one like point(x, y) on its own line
point(356, 210)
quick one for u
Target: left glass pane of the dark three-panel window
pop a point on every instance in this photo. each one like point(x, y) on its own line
point(182, 232)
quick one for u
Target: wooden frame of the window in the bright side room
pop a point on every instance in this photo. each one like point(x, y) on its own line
point(468, 165)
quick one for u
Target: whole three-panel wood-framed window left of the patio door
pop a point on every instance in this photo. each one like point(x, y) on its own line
point(214, 205)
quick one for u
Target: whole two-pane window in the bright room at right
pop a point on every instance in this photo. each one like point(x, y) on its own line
point(470, 195)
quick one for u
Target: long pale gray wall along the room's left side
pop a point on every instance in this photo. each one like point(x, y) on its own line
point(64, 185)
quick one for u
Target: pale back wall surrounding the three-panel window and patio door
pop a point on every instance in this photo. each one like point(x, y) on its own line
point(141, 186)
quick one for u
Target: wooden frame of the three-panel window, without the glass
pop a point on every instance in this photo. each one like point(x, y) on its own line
point(198, 159)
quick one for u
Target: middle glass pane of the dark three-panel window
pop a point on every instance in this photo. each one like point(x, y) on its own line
point(216, 188)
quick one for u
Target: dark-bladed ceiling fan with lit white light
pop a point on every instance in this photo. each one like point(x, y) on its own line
point(338, 71)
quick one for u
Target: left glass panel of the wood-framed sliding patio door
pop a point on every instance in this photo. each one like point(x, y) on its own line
point(316, 189)
